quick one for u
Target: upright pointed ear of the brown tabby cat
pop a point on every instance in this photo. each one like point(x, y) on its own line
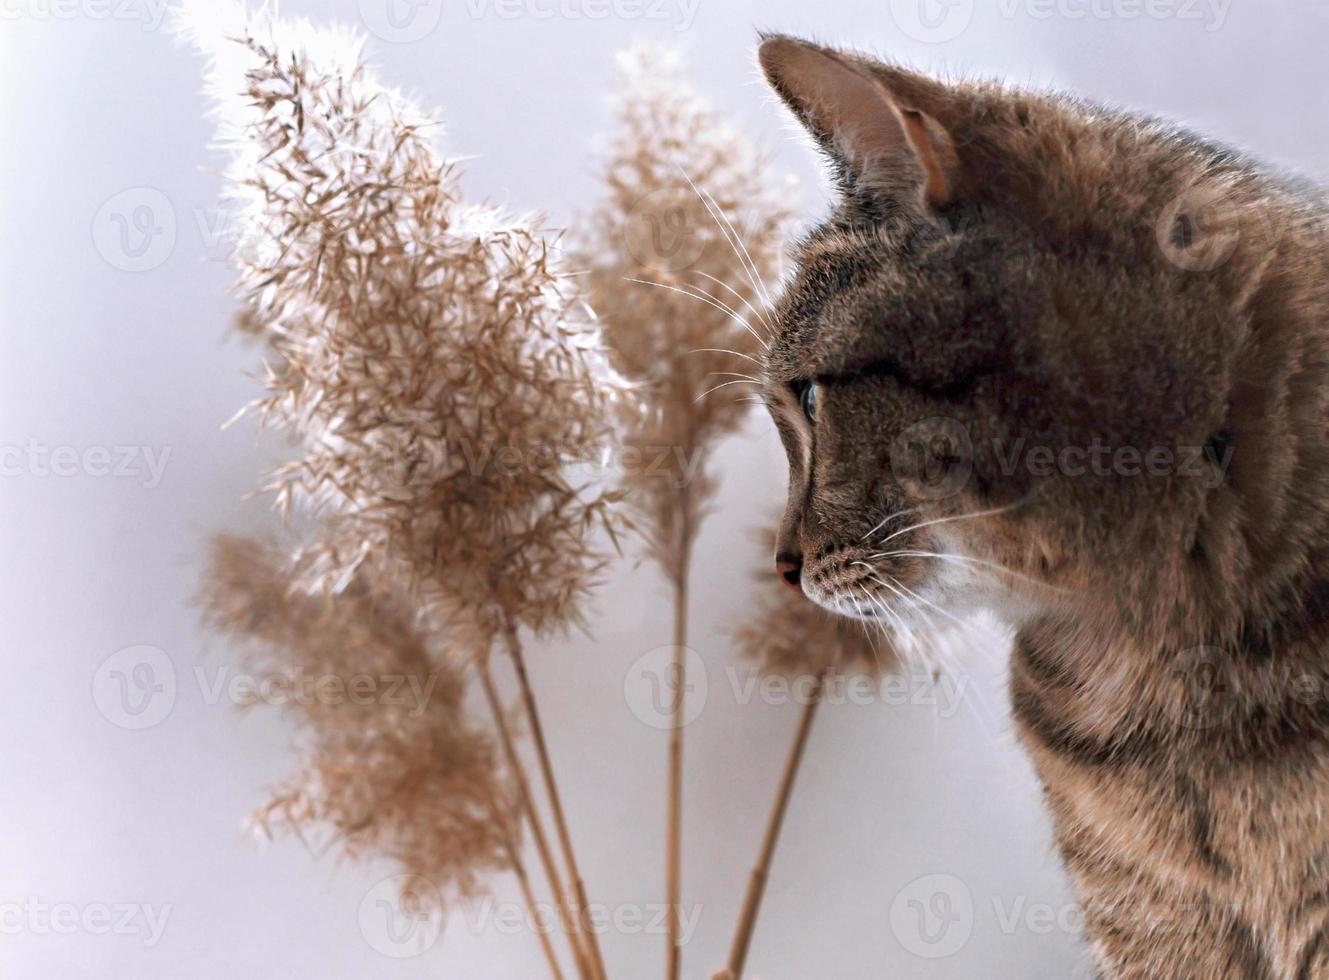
point(883, 147)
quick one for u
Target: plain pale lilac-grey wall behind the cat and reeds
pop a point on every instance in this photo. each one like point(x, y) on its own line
point(95, 816)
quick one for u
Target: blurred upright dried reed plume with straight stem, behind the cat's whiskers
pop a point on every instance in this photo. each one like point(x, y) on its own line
point(678, 255)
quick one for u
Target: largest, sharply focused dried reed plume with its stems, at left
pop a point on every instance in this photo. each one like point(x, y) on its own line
point(433, 362)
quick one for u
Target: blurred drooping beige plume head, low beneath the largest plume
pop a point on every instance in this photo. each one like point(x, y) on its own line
point(390, 765)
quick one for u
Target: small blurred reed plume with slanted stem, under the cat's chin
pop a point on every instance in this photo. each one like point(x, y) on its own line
point(787, 635)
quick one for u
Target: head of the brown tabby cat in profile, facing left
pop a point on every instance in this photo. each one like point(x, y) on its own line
point(1007, 369)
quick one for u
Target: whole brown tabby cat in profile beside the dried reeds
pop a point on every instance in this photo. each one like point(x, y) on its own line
point(1073, 365)
